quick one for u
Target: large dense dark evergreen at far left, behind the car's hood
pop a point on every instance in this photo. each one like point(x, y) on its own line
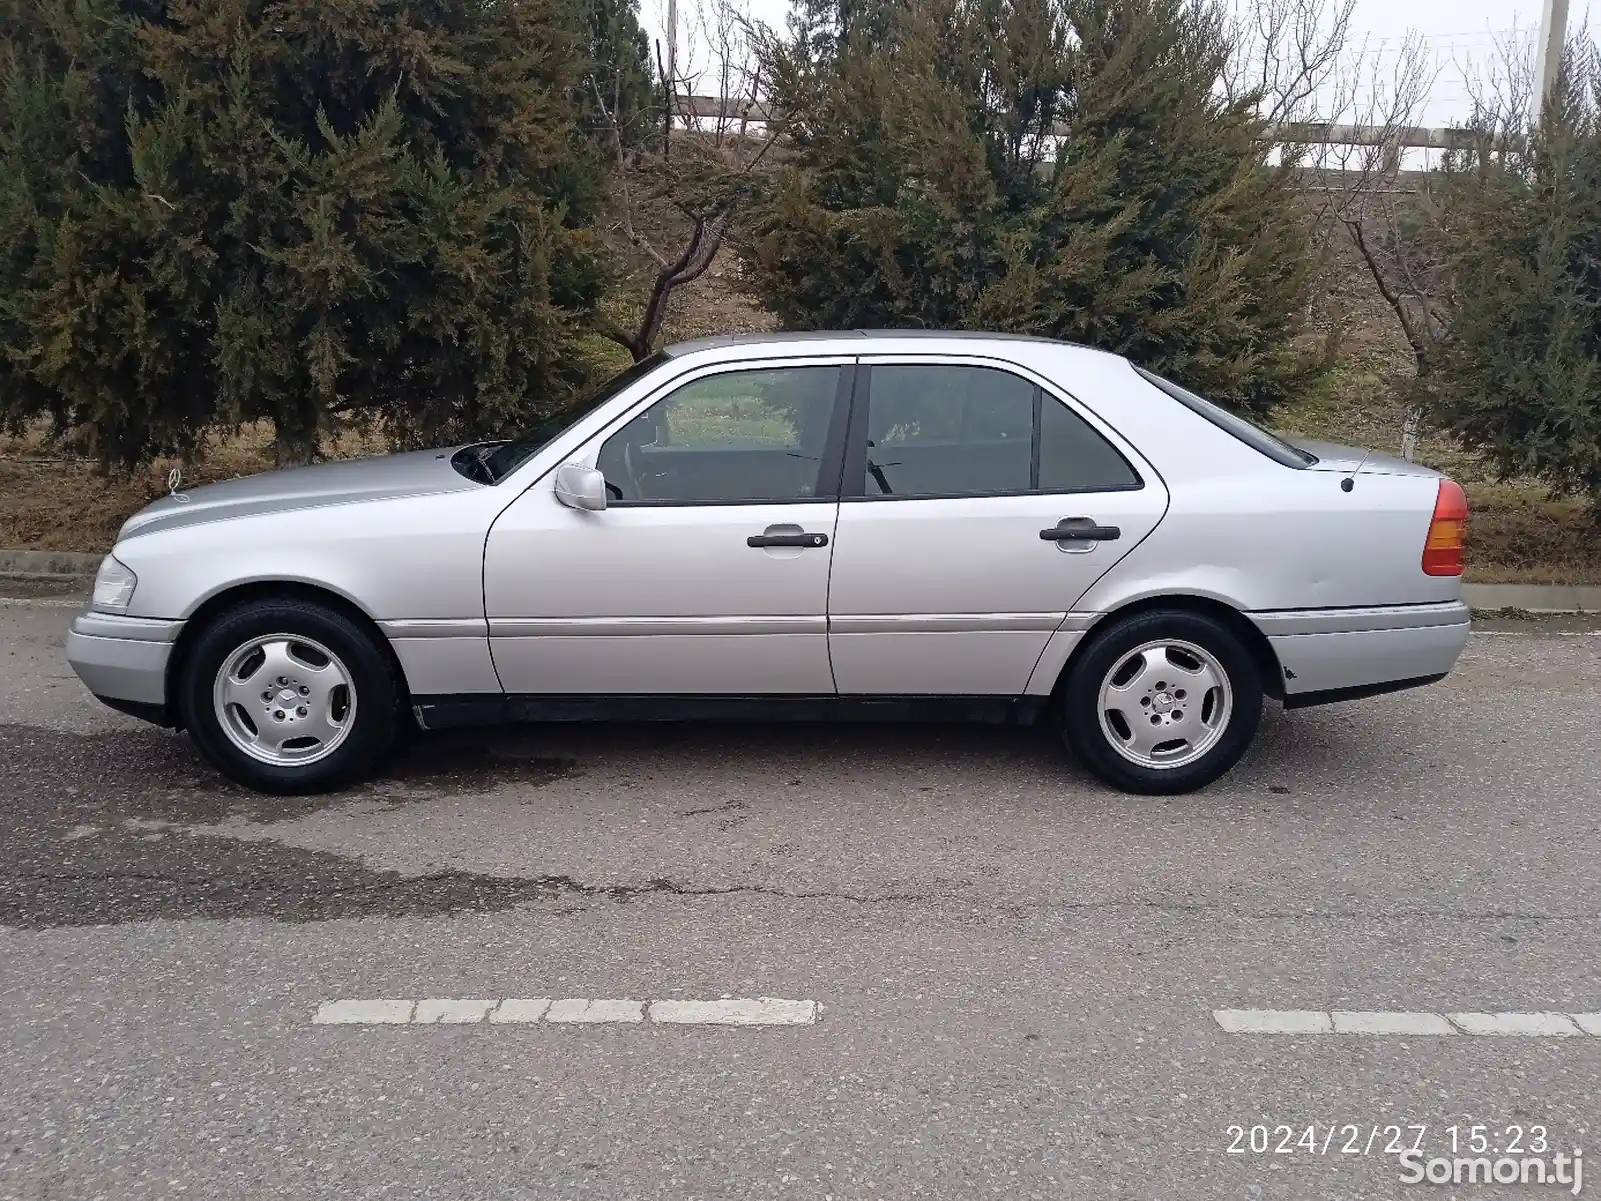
point(292, 211)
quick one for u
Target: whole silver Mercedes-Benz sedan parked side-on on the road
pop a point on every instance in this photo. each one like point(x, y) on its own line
point(880, 526)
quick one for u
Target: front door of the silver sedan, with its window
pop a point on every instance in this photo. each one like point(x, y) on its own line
point(707, 574)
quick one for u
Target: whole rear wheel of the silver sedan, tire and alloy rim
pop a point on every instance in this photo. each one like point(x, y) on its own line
point(1163, 702)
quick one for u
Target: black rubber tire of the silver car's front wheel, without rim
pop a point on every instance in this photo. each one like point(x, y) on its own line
point(377, 718)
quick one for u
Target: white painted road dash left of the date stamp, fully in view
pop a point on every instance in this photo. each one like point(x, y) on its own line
point(750, 1011)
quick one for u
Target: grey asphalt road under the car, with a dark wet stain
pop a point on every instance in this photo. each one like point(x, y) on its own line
point(1017, 970)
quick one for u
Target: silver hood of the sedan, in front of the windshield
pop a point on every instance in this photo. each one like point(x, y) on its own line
point(361, 480)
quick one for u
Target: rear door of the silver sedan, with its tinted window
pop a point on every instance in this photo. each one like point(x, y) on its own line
point(976, 508)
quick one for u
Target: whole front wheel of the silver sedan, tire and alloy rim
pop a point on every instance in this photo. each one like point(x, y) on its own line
point(291, 697)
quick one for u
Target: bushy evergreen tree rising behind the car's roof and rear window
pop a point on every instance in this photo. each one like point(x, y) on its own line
point(1056, 167)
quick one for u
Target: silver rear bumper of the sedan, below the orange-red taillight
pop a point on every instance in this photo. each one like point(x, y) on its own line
point(1344, 654)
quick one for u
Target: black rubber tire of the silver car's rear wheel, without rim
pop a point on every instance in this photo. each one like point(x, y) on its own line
point(1080, 712)
